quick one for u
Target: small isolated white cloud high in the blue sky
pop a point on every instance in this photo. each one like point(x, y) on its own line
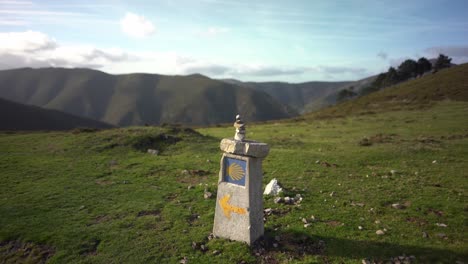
point(136, 26)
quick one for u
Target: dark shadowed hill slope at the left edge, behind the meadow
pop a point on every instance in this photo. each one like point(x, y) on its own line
point(15, 116)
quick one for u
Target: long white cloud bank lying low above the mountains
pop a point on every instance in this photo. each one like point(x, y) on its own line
point(36, 49)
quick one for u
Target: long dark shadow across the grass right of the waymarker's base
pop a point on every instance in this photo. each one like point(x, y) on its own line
point(297, 245)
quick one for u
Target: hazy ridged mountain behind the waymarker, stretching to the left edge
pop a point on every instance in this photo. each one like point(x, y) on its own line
point(137, 99)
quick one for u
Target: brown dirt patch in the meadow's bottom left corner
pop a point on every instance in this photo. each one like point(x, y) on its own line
point(24, 252)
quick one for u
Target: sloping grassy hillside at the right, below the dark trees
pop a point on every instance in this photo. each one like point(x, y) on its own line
point(447, 84)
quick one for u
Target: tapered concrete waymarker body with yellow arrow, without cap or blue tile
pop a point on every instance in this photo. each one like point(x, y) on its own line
point(239, 209)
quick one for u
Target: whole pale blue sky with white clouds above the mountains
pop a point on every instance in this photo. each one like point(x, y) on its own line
point(249, 40)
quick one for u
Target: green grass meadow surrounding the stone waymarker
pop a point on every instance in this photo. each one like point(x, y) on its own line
point(98, 198)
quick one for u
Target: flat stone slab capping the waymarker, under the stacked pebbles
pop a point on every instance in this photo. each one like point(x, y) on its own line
point(245, 148)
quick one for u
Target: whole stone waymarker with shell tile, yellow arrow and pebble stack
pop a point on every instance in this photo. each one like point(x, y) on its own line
point(239, 202)
